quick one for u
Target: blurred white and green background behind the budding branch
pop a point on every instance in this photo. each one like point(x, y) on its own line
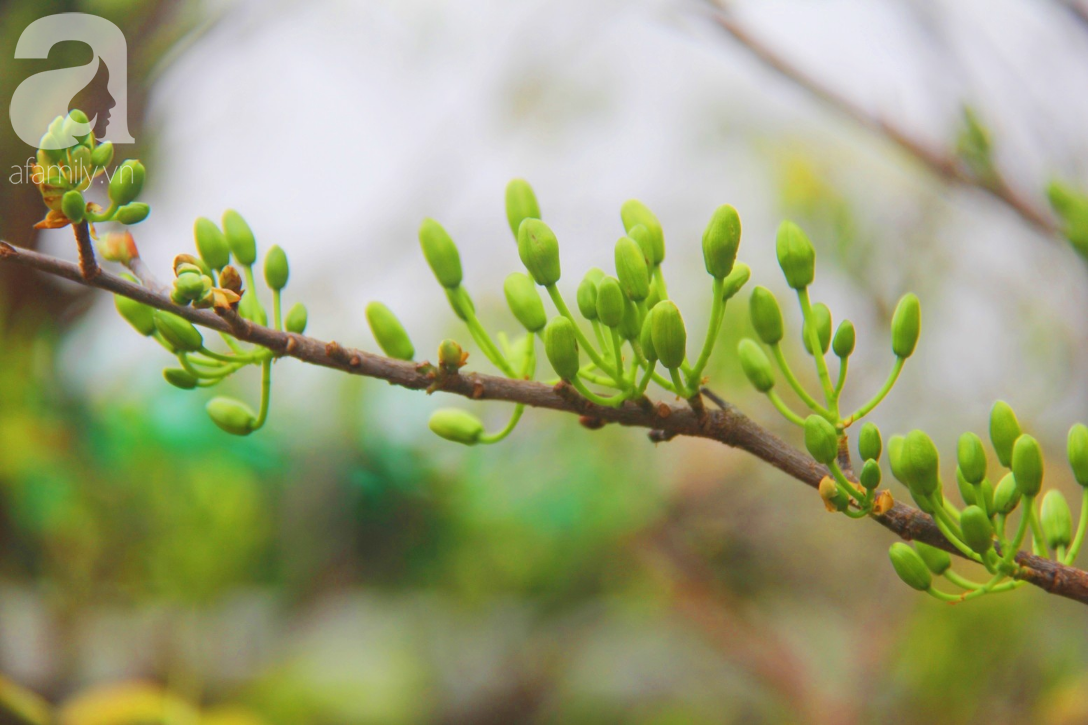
point(345, 567)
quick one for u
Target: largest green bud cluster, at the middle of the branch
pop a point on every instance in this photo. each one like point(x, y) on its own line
point(630, 325)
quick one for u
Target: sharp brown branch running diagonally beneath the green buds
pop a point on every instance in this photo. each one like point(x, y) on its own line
point(727, 426)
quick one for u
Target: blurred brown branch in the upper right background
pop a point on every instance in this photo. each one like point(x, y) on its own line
point(946, 166)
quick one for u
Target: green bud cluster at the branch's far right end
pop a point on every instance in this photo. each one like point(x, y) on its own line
point(983, 531)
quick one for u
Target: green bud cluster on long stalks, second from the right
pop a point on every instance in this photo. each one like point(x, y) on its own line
point(825, 427)
